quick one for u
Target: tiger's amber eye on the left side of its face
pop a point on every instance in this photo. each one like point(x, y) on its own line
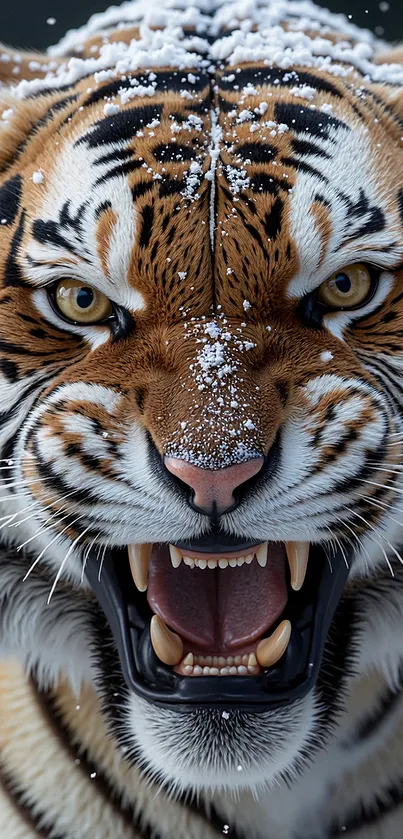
point(81, 303)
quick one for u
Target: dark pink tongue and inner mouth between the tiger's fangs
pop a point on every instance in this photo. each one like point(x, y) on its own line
point(218, 610)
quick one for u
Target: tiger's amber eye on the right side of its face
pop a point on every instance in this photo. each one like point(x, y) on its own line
point(346, 289)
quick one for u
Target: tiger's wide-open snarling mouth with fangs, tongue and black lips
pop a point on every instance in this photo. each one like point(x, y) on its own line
point(219, 621)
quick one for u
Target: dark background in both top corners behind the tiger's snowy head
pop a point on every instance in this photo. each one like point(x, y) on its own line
point(24, 24)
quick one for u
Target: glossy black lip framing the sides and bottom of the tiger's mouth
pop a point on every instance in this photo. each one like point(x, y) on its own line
point(311, 611)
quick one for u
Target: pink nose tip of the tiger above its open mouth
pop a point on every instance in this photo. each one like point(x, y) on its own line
point(214, 488)
